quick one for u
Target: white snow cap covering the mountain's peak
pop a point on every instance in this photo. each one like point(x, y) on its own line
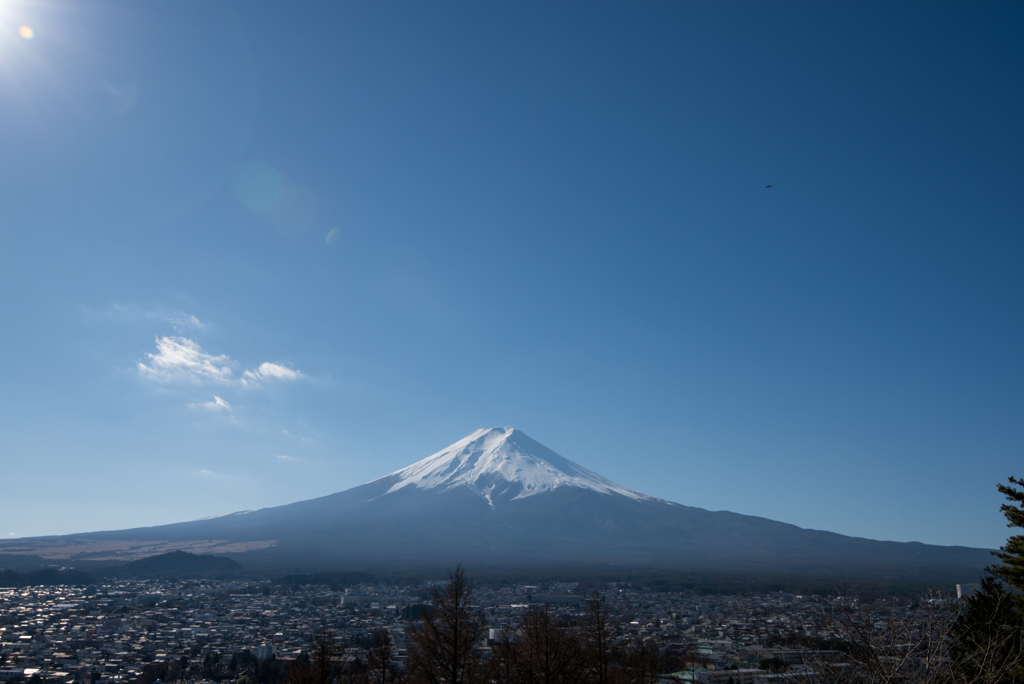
point(503, 461)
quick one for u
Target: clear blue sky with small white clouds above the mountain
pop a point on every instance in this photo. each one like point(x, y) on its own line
point(258, 252)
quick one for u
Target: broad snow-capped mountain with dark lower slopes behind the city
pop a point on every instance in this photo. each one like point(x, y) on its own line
point(500, 501)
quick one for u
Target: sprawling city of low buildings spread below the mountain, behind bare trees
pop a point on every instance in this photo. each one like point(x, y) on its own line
point(209, 630)
